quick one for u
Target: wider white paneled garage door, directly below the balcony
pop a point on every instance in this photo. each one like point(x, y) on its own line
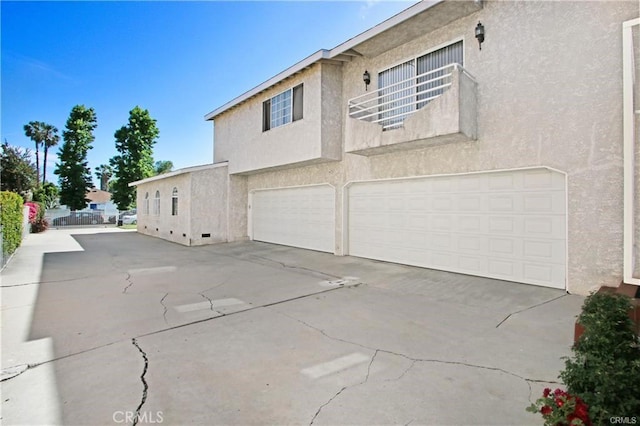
point(509, 225)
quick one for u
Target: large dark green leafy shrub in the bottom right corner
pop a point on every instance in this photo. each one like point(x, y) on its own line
point(605, 367)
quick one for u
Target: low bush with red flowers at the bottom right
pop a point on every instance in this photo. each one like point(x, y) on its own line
point(558, 408)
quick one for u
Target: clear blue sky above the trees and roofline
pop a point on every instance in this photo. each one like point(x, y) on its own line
point(179, 60)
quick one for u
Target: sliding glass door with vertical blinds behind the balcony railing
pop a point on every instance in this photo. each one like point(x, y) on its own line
point(412, 84)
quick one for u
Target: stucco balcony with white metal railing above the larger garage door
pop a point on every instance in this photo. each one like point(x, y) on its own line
point(433, 108)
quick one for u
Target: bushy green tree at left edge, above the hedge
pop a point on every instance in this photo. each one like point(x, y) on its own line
point(17, 173)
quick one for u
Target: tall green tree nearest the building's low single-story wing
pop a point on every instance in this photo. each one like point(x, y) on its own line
point(134, 143)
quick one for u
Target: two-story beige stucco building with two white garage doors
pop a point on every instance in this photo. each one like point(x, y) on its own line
point(506, 162)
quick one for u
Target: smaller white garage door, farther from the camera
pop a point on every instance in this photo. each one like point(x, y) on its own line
point(300, 217)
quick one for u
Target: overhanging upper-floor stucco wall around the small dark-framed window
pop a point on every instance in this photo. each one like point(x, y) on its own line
point(240, 140)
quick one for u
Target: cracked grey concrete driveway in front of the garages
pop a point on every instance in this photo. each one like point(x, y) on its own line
point(107, 327)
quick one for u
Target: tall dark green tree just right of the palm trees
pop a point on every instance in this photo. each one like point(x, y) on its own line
point(74, 174)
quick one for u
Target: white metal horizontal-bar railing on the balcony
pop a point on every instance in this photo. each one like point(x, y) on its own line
point(390, 105)
